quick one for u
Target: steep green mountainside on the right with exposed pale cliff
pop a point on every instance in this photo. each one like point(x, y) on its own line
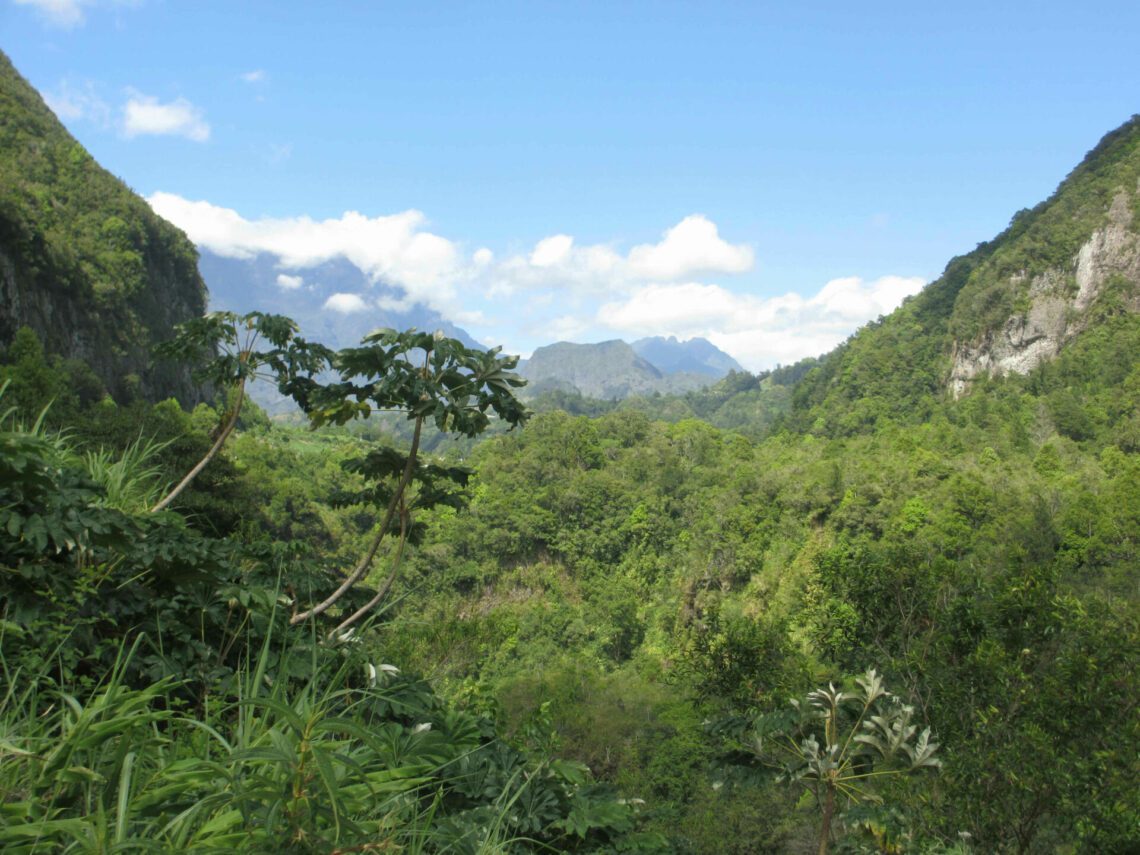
point(1053, 299)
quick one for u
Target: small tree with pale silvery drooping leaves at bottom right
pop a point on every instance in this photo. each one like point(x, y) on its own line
point(837, 744)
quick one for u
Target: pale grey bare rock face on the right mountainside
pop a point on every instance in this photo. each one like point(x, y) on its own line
point(1058, 305)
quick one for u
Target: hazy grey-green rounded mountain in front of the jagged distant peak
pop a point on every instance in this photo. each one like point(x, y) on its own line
point(608, 370)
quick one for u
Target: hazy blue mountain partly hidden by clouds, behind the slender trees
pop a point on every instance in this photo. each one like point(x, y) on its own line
point(263, 284)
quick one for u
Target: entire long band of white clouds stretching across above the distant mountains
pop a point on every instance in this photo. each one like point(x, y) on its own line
point(569, 290)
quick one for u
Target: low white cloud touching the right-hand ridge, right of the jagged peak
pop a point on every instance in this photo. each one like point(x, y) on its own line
point(759, 332)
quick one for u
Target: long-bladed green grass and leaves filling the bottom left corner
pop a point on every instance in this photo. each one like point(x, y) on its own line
point(325, 764)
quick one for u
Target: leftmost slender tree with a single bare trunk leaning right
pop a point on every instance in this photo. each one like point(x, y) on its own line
point(237, 348)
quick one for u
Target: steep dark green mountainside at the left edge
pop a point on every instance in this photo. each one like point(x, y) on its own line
point(84, 262)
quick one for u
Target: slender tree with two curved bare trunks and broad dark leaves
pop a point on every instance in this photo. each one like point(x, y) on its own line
point(430, 379)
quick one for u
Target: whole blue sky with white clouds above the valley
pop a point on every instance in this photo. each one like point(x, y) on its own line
point(767, 176)
